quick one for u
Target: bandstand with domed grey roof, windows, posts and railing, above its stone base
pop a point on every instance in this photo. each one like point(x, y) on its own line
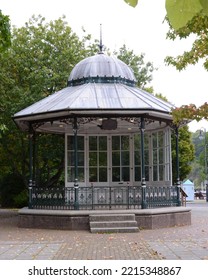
point(117, 143)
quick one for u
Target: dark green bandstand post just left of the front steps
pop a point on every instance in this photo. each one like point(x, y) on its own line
point(76, 184)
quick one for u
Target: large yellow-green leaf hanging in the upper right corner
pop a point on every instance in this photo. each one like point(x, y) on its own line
point(179, 12)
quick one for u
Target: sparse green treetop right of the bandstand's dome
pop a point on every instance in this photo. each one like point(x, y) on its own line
point(142, 71)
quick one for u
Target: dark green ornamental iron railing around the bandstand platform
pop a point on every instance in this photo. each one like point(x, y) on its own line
point(84, 198)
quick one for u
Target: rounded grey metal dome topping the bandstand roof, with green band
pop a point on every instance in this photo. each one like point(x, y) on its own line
point(101, 68)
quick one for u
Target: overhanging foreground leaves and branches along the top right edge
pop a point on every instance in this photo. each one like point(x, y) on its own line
point(187, 18)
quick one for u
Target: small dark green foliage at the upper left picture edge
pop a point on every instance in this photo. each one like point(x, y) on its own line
point(5, 34)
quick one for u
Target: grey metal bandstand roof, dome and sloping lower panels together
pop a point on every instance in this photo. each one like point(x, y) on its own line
point(109, 94)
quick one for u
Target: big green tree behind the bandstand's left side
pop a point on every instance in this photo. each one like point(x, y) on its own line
point(38, 63)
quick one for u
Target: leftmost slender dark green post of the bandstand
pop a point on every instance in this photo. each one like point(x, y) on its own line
point(30, 185)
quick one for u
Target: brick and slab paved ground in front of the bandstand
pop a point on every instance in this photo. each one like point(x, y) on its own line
point(178, 243)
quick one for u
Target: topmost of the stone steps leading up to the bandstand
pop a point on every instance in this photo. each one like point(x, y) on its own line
point(112, 217)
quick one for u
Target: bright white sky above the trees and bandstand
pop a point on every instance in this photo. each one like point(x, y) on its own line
point(141, 29)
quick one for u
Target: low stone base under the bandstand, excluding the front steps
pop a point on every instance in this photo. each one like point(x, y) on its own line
point(79, 220)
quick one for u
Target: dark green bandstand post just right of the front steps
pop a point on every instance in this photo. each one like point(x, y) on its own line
point(143, 181)
